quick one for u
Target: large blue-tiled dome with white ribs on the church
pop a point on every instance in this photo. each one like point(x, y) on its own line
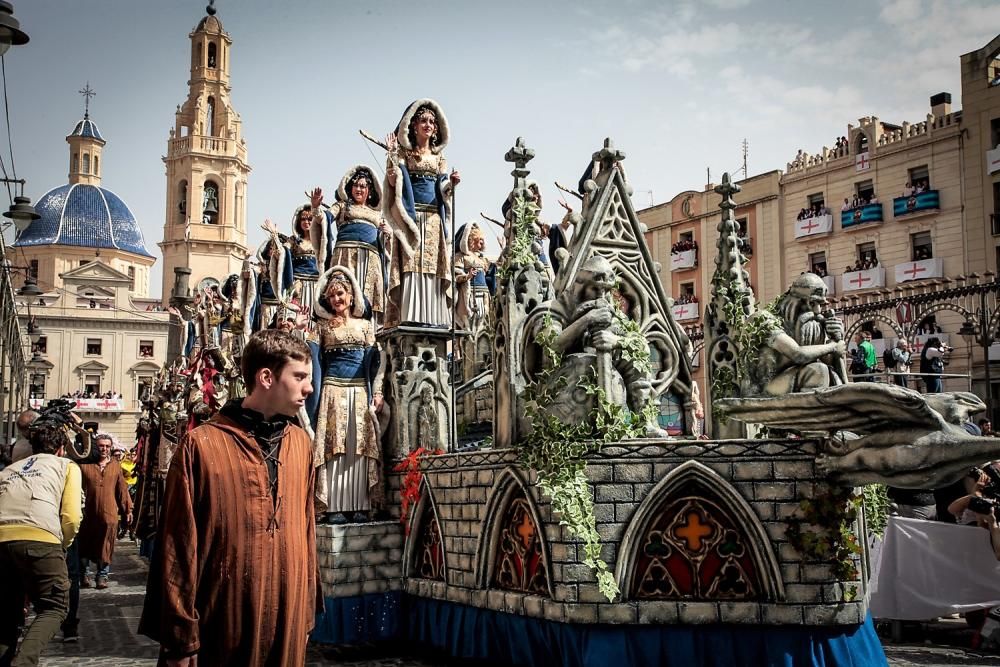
point(84, 215)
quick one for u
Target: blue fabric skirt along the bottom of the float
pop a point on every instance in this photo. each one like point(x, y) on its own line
point(466, 632)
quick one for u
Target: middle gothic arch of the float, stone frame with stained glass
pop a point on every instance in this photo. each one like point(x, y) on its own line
point(512, 552)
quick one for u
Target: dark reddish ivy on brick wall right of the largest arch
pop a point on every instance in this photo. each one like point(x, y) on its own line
point(824, 531)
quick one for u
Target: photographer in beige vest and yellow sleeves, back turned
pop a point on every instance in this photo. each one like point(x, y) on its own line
point(41, 506)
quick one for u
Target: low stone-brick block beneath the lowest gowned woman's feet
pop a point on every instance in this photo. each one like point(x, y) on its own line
point(357, 559)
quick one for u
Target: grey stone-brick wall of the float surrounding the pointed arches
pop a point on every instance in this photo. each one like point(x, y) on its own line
point(771, 476)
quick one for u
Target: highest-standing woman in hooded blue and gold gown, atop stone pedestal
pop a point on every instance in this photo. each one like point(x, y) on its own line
point(418, 187)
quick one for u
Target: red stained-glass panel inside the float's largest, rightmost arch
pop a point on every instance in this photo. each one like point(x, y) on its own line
point(694, 549)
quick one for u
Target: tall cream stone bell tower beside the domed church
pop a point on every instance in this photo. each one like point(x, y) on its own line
point(205, 226)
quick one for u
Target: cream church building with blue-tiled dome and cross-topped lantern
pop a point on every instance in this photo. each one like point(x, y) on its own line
point(95, 328)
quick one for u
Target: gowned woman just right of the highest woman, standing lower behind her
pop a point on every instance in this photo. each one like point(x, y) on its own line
point(475, 279)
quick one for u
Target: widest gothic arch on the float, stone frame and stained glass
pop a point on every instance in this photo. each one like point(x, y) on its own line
point(695, 537)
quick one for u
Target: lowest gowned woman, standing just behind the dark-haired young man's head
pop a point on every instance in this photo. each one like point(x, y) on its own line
point(346, 445)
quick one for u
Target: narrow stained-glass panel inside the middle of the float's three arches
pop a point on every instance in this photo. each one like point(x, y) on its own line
point(519, 563)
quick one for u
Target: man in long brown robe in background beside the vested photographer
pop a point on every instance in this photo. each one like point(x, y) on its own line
point(106, 494)
